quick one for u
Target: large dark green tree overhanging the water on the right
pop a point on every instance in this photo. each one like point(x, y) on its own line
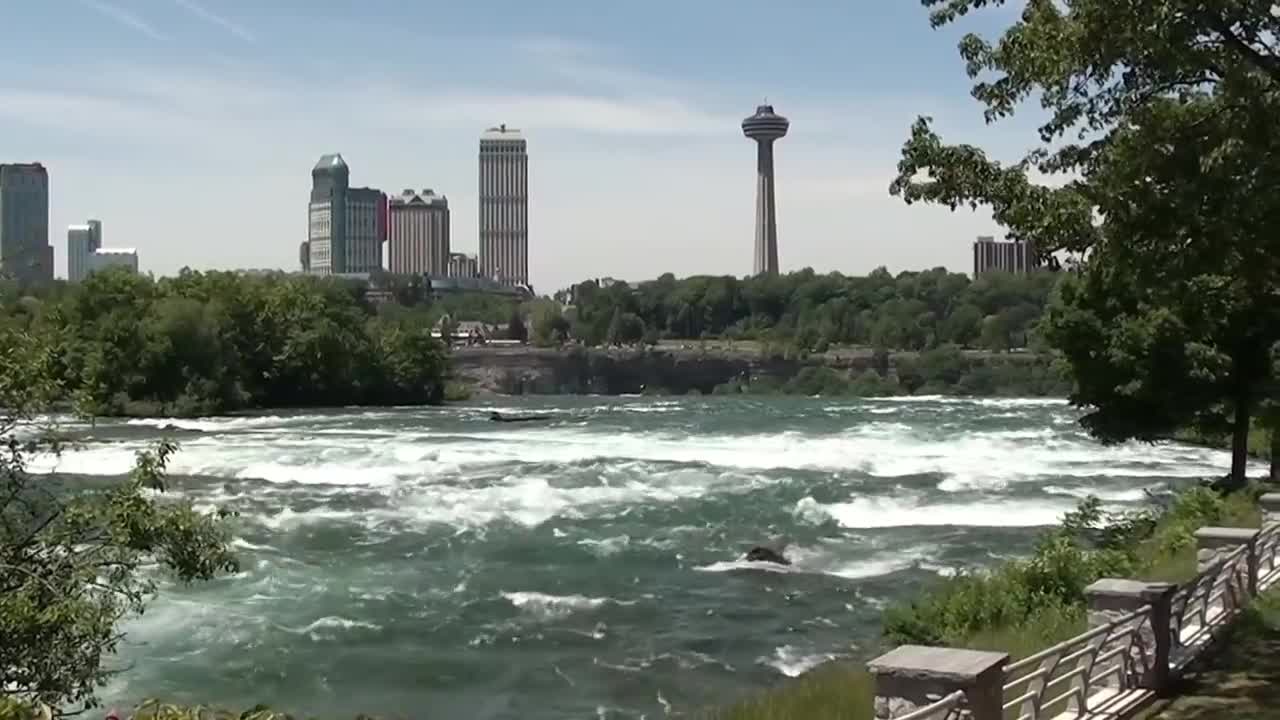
point(1162, 116)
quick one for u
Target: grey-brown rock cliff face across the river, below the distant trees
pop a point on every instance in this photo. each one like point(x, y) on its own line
point(534, 371)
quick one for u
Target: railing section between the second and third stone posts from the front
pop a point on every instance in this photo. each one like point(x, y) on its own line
point(1208, 603)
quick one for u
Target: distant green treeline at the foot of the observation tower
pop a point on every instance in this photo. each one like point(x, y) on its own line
point(915, 311)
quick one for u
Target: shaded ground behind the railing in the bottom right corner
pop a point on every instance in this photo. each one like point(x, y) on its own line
point(1241, 677)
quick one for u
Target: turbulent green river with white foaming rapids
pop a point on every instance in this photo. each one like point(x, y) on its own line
point(431, 563)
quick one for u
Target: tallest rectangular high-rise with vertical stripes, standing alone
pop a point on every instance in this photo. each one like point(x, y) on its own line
point(505, 207)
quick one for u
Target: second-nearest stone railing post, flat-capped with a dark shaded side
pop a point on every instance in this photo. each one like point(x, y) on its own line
point(1113, 599)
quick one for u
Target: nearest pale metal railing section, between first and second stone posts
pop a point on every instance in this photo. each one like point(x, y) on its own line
point(1066, 677)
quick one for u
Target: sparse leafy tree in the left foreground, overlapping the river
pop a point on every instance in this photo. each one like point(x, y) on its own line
point(71, 558)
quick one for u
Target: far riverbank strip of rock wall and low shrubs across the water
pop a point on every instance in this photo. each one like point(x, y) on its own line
point(693, 368)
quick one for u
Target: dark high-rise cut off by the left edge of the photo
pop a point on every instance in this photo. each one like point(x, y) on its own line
point(25, 250)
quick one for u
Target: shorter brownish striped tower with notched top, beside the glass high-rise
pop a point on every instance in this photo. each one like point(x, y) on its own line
point(418, 238)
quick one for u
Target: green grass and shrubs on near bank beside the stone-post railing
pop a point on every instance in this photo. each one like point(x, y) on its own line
point(1022, 607)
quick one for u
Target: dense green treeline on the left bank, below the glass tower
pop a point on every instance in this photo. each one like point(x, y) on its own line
point(214, 343)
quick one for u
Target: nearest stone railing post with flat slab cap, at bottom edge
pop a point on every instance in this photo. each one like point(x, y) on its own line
point(913, 677)
